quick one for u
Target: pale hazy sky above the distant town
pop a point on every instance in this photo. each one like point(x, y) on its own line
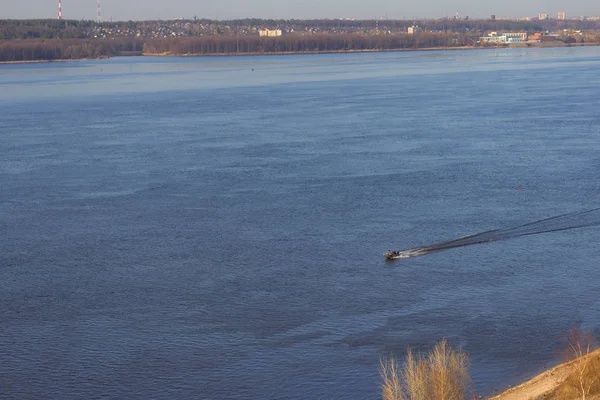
point(299, 9)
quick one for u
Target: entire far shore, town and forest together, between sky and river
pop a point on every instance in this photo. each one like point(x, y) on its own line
point(63, 39)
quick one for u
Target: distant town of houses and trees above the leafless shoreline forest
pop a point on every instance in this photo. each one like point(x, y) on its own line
point(180, 27)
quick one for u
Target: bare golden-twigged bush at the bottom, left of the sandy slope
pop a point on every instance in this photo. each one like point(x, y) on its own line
point(442, 375)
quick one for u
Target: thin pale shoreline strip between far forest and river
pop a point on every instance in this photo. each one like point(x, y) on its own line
point(281, 53)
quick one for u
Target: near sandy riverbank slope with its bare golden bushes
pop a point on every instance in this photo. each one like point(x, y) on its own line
point(443, 375)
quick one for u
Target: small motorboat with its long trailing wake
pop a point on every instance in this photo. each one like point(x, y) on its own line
point(561, 222)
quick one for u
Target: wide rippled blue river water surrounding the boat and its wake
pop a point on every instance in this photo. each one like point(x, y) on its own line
point(214, 228)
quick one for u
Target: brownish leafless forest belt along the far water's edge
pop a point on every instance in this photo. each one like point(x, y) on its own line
point(71, 49)
